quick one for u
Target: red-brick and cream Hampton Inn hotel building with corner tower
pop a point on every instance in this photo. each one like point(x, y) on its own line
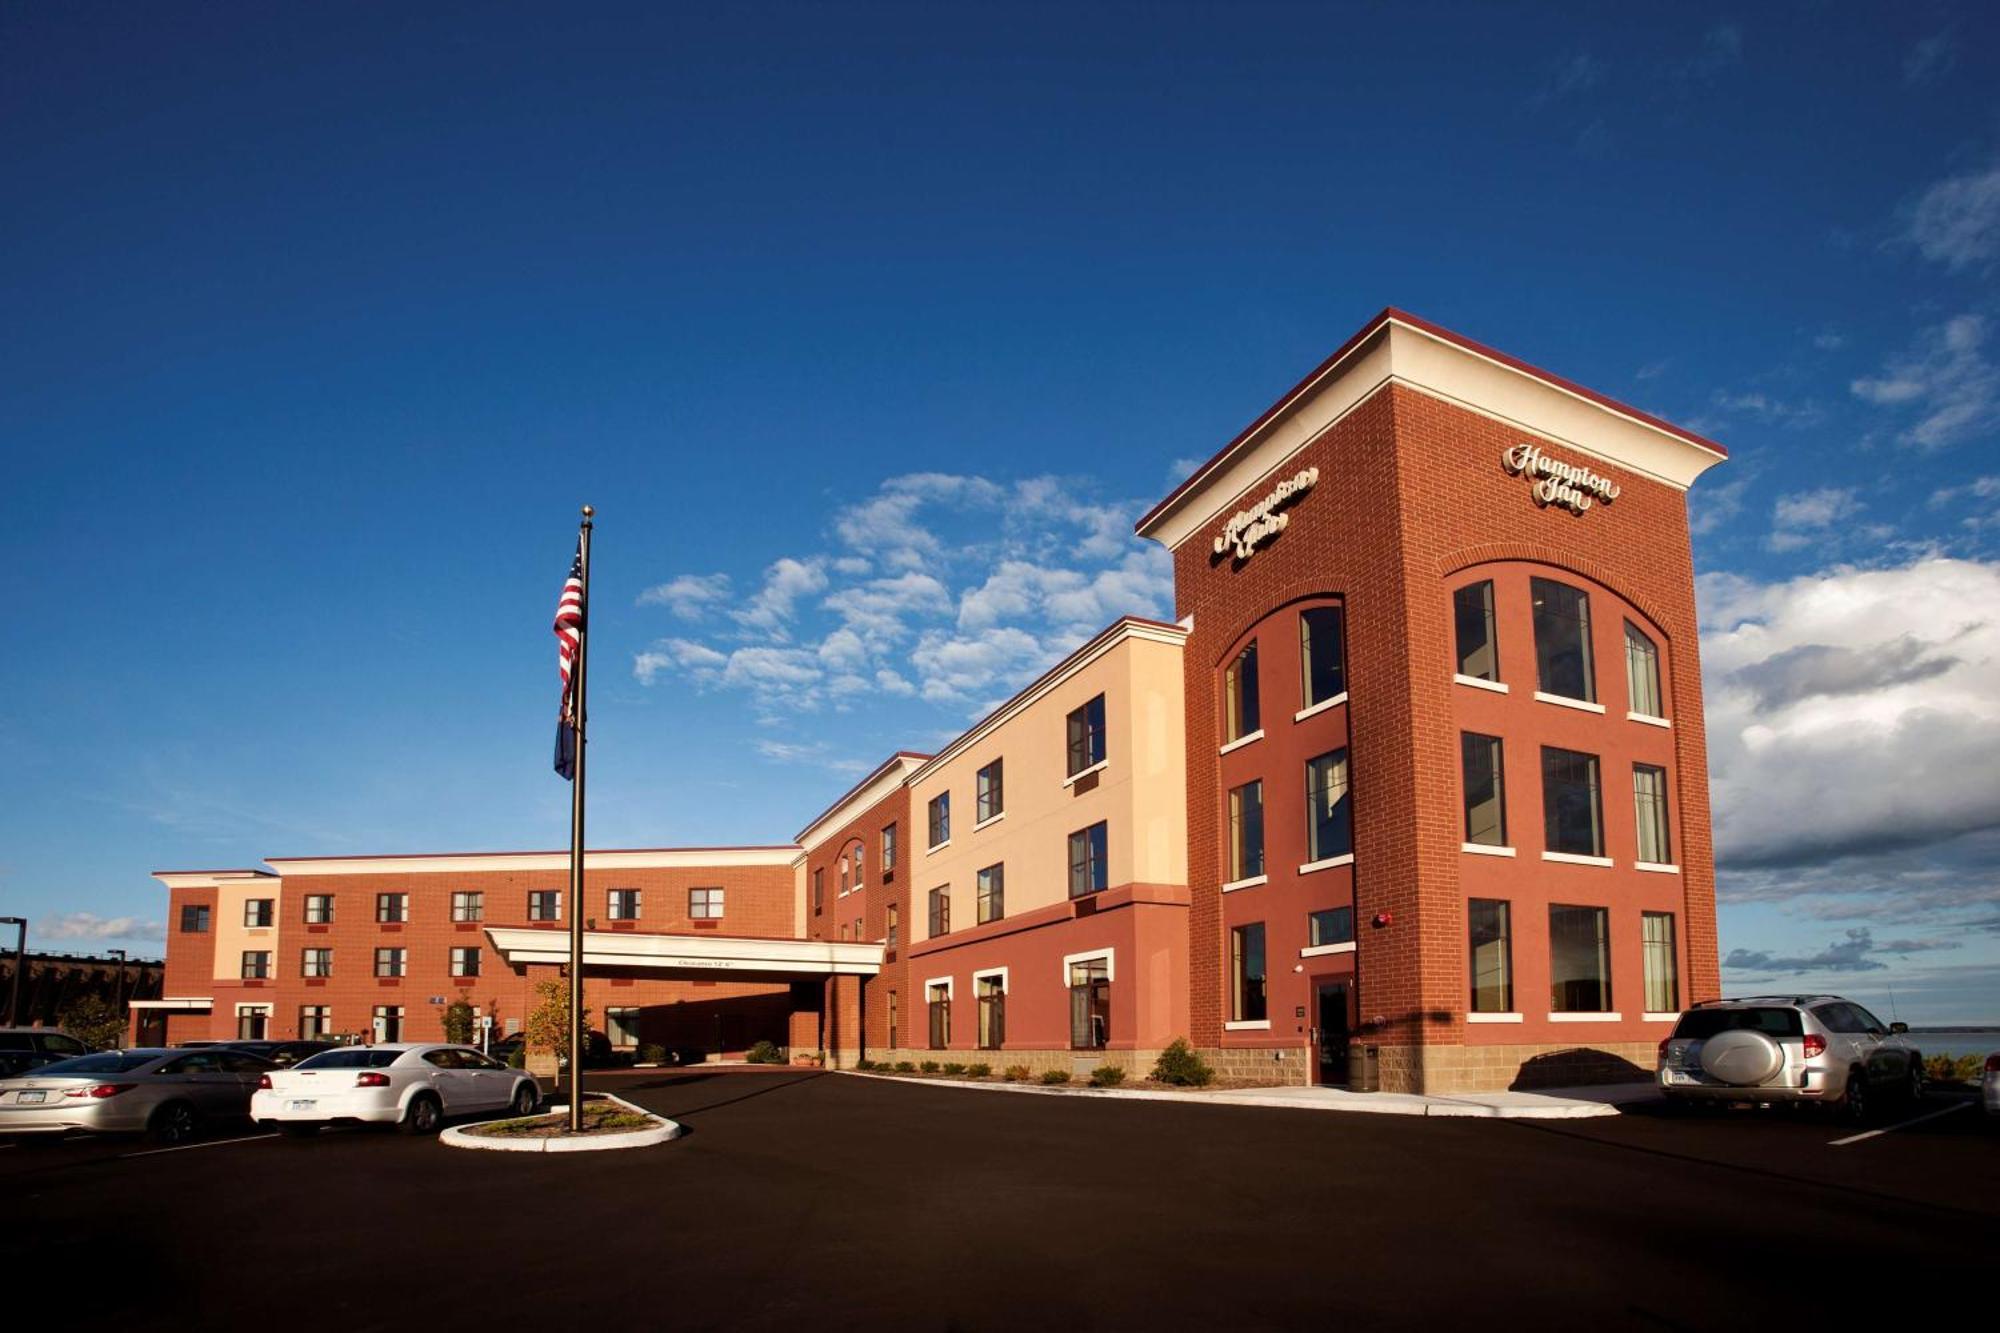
point(1421, 764)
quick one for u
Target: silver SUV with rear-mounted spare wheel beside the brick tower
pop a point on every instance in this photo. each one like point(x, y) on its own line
point(1789, 1050)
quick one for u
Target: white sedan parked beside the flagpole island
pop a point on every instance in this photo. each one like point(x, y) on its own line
point(407, 1084)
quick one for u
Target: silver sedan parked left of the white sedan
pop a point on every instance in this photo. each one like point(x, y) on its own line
point(163, 1094)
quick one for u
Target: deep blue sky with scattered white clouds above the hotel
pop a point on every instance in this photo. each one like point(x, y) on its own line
point(869, 329)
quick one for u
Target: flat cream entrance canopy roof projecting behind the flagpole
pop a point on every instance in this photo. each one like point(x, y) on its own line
point(693, 954)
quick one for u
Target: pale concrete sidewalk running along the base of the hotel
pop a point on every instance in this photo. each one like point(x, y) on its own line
point(1557, 1104)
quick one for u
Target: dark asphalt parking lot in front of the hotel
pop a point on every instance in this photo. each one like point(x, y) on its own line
point(805, 1200)
